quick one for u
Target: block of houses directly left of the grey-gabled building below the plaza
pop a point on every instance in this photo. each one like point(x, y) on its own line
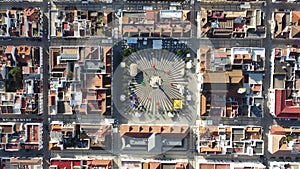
point(88, 136)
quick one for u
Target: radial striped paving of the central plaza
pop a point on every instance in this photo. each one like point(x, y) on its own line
point(159, 81)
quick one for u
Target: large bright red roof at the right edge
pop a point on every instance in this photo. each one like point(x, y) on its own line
point(282, 106)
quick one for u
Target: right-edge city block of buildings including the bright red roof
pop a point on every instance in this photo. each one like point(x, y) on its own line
point(285, 83)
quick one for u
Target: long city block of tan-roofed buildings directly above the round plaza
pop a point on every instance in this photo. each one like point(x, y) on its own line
point(155, 23)
